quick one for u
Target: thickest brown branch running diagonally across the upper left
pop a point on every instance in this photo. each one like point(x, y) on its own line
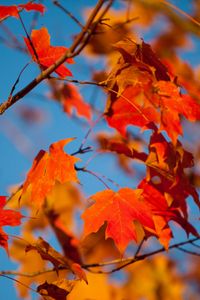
point(80, 42)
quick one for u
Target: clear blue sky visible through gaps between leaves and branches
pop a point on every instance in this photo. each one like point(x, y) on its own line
point(20, 141)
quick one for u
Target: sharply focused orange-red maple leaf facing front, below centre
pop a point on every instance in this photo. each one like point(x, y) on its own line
point(119, 210)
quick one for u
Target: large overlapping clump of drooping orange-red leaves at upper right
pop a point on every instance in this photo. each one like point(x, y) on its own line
point(141, 93)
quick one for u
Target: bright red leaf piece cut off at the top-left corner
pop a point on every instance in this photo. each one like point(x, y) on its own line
point(13, 10)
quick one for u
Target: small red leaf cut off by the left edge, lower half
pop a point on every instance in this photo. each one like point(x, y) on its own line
point(7, 217)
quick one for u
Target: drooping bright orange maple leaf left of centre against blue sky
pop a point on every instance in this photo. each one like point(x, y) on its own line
point(48, 168)
